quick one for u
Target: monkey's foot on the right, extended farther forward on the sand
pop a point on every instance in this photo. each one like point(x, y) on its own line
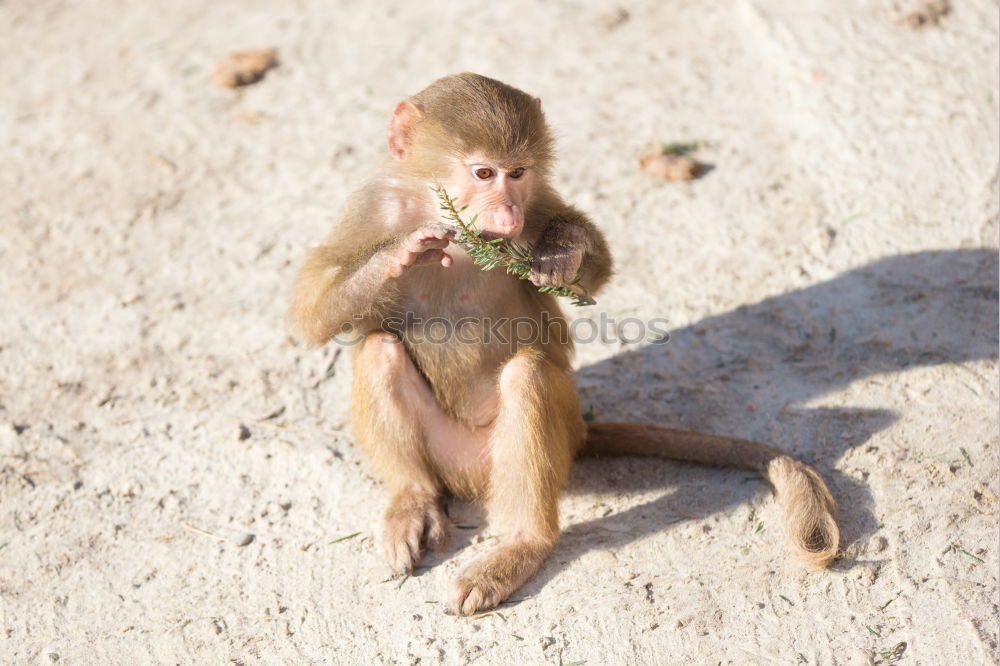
point(490, 580)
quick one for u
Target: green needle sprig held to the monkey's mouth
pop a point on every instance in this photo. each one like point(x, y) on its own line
point(513, 257)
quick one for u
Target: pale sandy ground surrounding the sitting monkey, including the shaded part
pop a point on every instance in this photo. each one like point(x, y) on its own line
point(831, 284)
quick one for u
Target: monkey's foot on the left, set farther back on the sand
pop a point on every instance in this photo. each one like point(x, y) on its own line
point(412, 519)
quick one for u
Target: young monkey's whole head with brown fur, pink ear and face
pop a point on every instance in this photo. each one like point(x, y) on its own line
point(485, 141)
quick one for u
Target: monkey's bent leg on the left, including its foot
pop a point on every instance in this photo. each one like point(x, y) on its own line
point(390, 403)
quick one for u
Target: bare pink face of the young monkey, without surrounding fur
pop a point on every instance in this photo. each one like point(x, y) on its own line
point(496, 195)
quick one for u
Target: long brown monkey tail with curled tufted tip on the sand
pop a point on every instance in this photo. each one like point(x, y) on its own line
point(808, 505)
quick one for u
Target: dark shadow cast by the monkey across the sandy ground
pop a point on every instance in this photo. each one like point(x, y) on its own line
point(750, 372)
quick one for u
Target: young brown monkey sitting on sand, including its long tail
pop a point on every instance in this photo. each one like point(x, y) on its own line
point(482, 419)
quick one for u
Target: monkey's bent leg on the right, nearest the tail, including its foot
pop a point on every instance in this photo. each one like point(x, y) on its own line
point(536, 434)
